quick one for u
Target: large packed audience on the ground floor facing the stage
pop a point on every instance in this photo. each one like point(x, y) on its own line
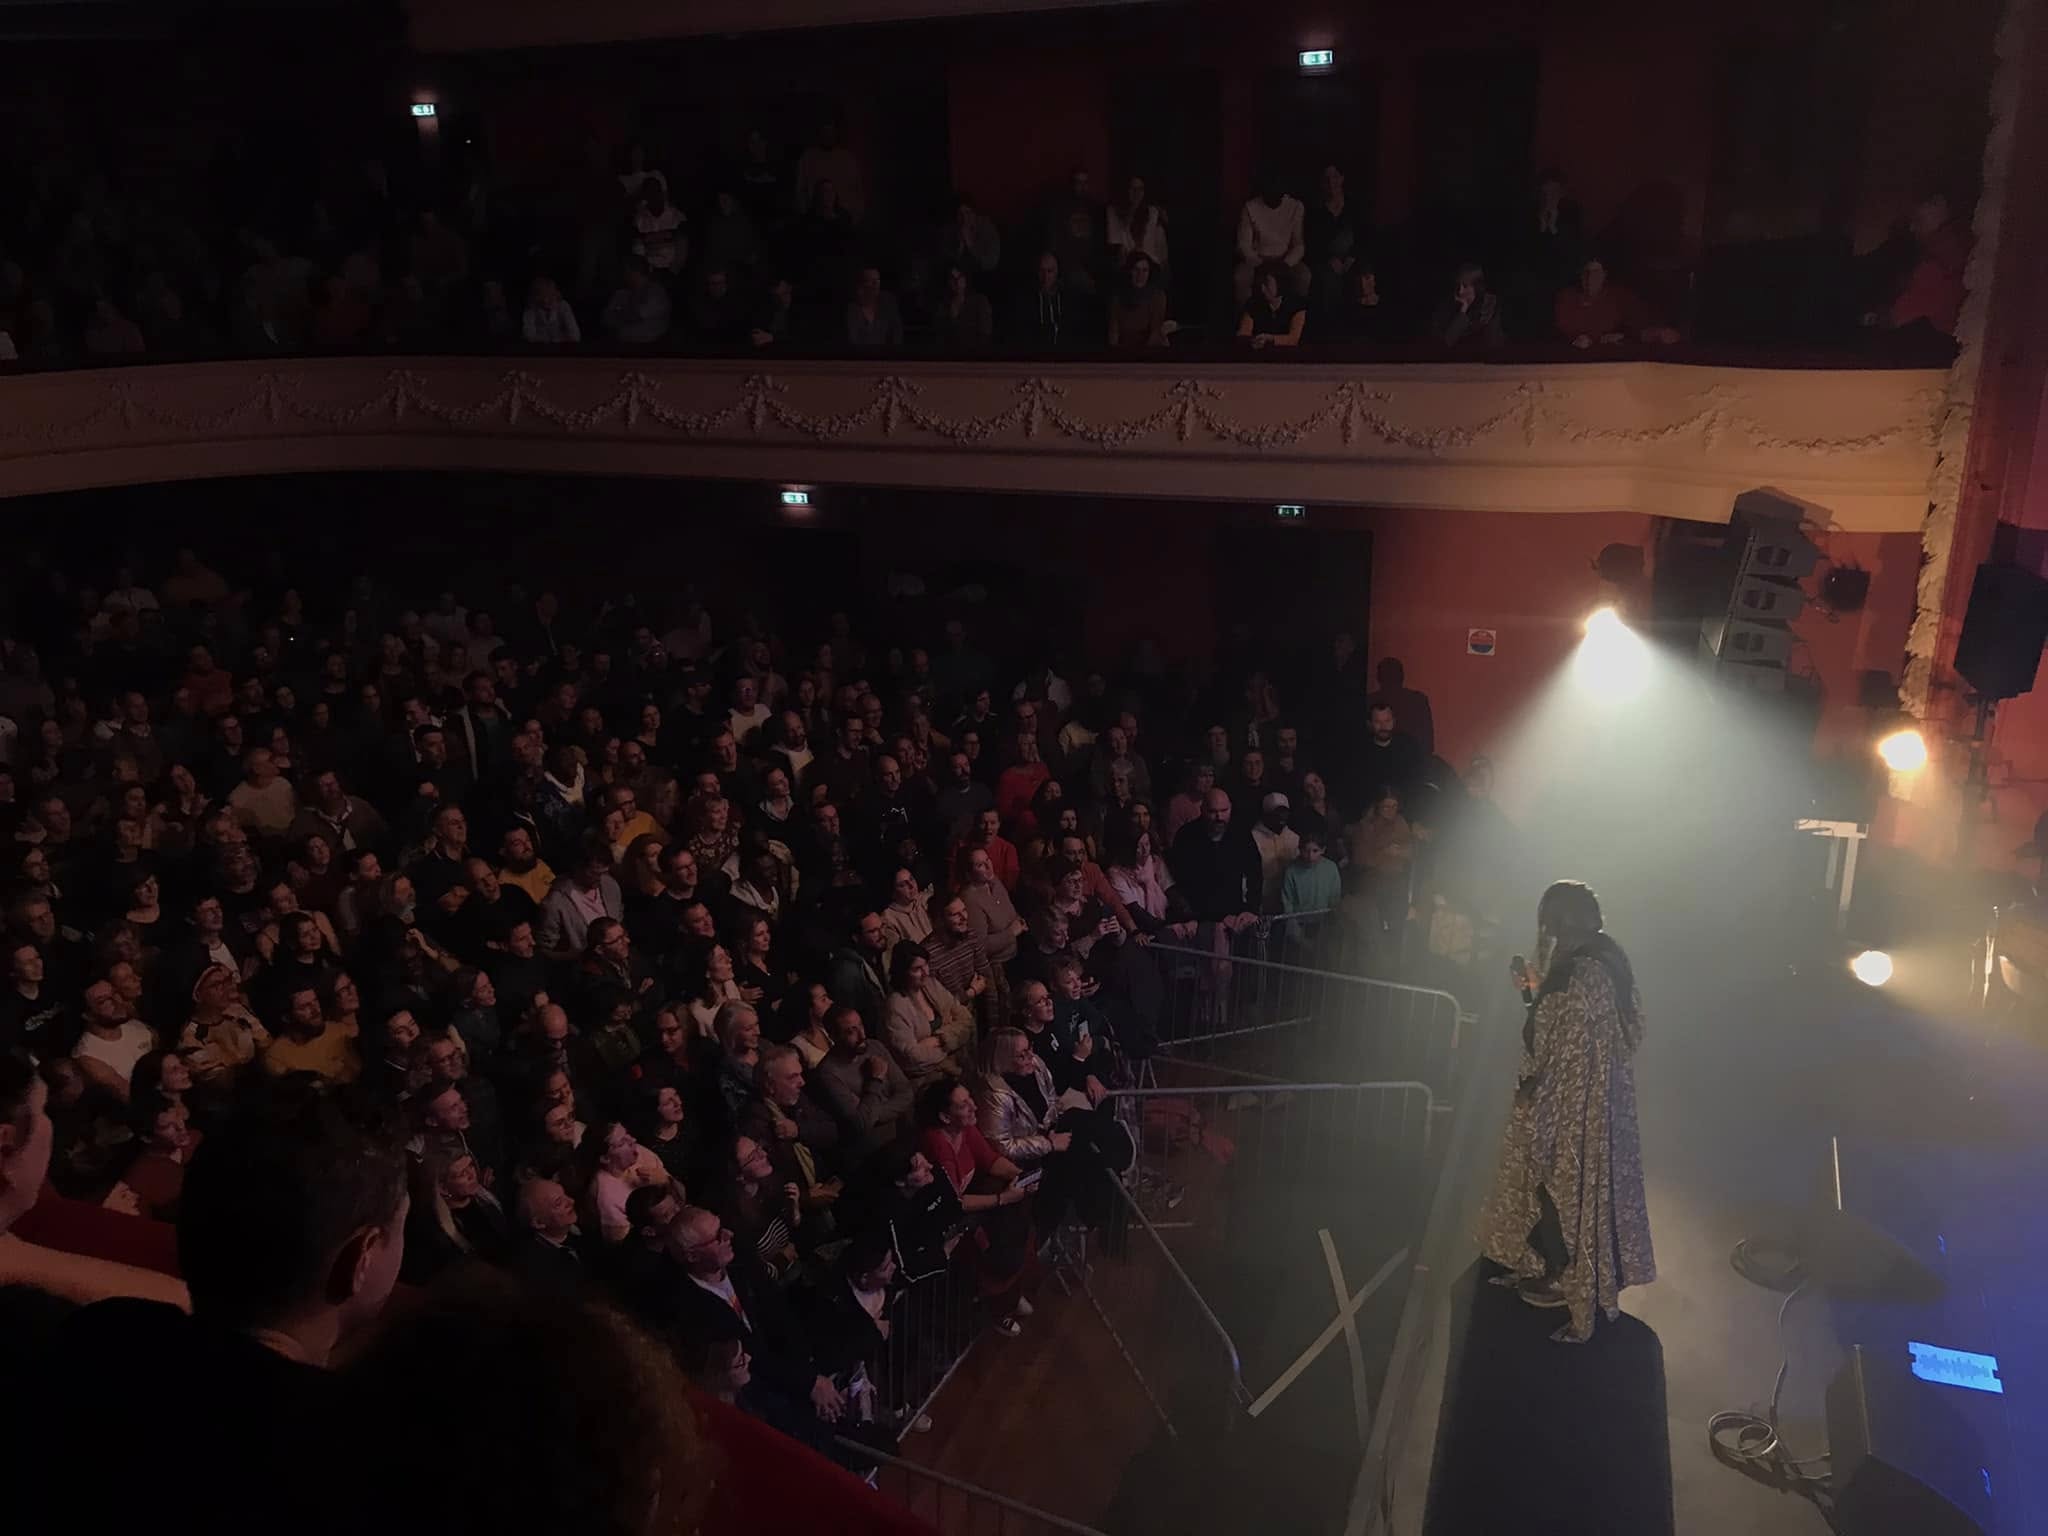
point(728, 976)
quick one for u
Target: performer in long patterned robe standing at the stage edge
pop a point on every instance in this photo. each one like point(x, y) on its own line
point(1568, 1218)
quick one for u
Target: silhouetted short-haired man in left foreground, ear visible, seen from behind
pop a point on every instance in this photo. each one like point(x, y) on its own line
point(292, 1230)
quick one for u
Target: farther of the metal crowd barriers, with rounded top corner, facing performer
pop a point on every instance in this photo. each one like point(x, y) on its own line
point(1297, 1023)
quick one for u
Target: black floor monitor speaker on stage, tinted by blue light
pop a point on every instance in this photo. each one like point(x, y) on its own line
point(1904, 1459)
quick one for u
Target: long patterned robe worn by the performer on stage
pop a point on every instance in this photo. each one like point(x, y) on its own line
point(1574, 1134)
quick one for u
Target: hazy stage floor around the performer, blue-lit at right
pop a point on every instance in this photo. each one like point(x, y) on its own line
point(1945, 1134)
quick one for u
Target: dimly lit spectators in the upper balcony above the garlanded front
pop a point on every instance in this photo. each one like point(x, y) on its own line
point(785, 253)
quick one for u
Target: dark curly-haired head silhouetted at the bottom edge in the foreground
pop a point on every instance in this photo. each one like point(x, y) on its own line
point(599, 1437)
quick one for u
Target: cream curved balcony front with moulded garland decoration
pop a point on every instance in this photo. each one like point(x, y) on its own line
point(1654, 435)
